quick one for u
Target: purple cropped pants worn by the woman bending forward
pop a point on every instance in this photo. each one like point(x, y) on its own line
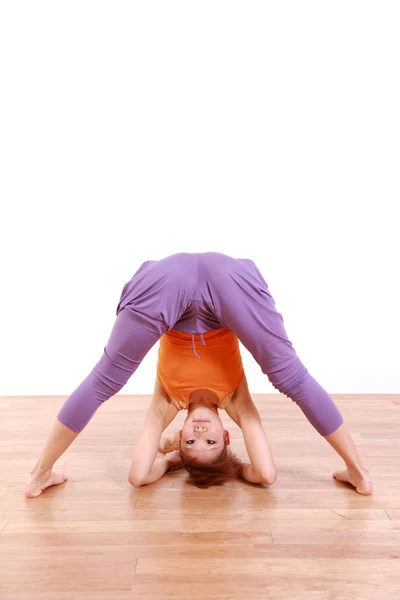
point(196, 293)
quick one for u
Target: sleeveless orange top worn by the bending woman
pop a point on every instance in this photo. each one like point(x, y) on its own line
point(180, 371)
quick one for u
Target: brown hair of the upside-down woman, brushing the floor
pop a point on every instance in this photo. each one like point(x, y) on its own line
point(225, 467)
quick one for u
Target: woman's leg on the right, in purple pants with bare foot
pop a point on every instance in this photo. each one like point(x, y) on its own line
point(240, 298)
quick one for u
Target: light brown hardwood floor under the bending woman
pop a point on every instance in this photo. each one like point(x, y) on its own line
point(96, 538)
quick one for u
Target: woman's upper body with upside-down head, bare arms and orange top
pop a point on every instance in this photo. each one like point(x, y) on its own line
point(203, 442)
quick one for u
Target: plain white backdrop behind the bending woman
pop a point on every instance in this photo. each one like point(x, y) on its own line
point(133, 130)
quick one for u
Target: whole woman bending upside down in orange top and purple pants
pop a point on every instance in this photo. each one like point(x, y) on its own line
point(207, 294)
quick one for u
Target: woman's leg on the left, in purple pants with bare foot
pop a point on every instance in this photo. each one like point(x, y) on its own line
point(158, 296)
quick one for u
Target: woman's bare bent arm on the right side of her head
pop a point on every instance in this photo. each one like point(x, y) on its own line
point(245, 414)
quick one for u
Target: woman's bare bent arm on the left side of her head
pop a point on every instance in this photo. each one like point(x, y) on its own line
point(144, 469)
